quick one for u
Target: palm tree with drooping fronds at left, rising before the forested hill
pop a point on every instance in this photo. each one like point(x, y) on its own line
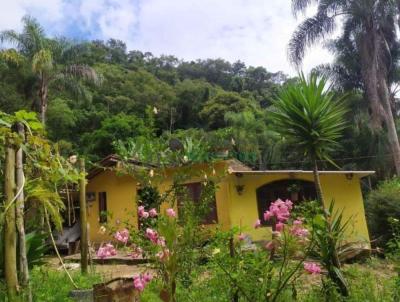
point(52, 62)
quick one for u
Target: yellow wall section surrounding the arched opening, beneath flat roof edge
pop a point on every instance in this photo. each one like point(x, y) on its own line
point(346, 193)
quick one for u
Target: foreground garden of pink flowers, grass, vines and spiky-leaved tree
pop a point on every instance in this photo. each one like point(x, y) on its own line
point(181, 258)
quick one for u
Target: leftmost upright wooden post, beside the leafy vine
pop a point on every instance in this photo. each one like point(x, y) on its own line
point(10, 235)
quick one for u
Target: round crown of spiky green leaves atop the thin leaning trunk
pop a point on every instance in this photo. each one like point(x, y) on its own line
point(309, 115)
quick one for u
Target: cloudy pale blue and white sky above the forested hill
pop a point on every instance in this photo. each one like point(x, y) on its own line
point(253, 31)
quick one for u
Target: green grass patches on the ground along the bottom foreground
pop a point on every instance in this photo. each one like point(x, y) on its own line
point(373, 281)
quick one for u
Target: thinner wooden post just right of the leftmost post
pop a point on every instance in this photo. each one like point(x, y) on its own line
point(20, 179)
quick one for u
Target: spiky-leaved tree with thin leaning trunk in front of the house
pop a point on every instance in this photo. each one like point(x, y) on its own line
point(310, 116)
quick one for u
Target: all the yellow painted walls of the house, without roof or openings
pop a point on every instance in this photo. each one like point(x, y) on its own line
point(232, 209)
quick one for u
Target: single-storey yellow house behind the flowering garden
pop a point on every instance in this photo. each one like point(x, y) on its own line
point(241, 197)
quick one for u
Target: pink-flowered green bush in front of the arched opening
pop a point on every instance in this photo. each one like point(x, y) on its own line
point(254, 273)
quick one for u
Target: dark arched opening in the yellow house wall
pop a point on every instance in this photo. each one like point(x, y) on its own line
point(293, 189)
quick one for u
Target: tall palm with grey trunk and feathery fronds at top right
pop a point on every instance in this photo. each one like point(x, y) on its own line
point(371, 25)
